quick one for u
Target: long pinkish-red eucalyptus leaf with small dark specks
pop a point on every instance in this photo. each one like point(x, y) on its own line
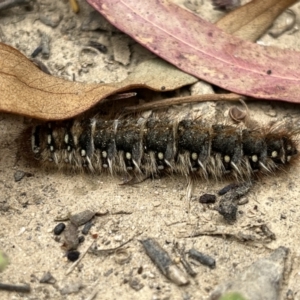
point(203, 50)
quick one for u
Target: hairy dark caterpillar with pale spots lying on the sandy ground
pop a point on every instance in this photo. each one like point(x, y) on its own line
point(145, 147)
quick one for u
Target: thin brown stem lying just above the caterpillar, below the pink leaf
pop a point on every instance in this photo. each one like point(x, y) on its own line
point(180, 100)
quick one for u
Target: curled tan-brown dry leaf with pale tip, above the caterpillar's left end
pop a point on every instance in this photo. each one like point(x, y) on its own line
point(28, 91)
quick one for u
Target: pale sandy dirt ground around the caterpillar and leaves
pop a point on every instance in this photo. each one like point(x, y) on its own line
point(156, 208)
